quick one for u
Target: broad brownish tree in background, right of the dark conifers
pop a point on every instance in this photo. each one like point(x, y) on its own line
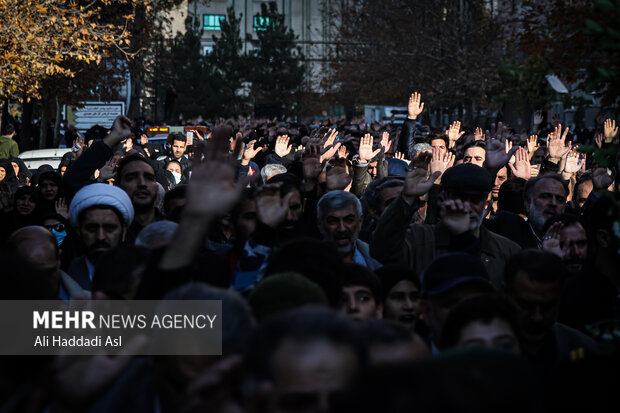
point(446, 49)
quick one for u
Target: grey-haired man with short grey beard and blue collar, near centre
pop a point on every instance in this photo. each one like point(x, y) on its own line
point(340, 218)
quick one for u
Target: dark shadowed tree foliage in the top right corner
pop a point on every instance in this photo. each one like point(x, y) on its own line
point(578, 41)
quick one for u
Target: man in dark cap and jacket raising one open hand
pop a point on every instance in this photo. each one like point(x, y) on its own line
point(466, 188)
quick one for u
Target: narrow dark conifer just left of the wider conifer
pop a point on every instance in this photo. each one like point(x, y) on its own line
point(229, 65)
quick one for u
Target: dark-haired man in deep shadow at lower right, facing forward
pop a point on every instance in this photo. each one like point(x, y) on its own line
point(534, 281)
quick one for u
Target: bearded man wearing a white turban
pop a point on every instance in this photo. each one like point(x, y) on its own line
point(101, 214)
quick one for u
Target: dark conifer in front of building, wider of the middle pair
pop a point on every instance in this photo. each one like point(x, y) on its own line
point(276, 68)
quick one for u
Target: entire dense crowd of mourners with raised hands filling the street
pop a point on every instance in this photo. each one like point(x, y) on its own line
point(362, 267)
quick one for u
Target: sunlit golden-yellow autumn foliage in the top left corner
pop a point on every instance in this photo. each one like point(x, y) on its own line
point(52, 39)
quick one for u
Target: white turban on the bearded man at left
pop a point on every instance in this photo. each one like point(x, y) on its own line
point(101, 194)
